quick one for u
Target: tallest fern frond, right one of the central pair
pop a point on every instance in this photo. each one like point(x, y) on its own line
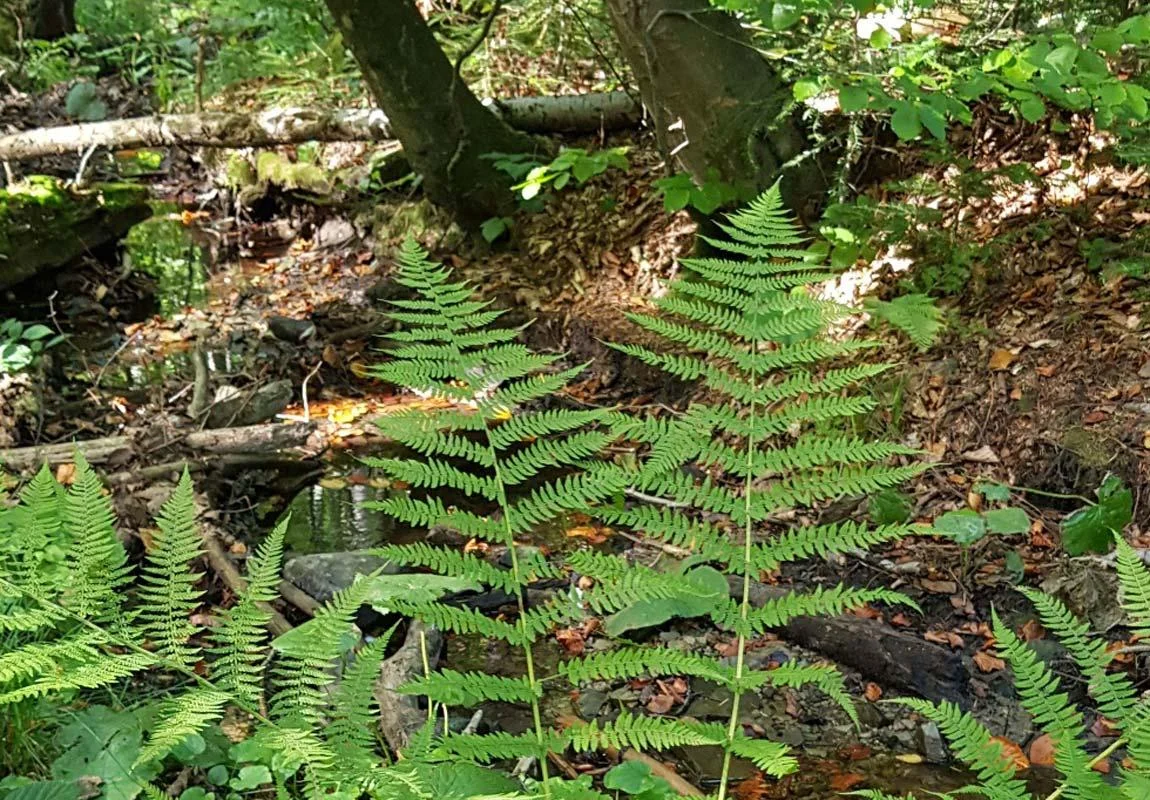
point(748, 327)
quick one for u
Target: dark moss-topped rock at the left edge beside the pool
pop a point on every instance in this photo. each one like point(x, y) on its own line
point(45, 226)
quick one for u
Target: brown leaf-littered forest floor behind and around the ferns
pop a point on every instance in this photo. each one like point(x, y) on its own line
point(1040, 382)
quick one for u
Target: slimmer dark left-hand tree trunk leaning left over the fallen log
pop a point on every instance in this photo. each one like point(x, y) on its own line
point(444, 129)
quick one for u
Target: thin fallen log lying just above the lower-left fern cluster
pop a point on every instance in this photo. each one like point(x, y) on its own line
point(118, 450)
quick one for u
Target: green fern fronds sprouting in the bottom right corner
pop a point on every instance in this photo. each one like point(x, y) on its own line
point(1042, 695)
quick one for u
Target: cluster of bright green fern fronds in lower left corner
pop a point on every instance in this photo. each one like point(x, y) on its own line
point(82, 624)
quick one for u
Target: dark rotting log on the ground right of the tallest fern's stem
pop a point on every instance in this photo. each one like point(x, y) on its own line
point(893, 658)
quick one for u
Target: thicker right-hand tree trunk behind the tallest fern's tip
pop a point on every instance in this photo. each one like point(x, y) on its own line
point(716, 103)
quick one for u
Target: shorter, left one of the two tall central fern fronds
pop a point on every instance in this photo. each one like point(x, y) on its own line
point(497, 442)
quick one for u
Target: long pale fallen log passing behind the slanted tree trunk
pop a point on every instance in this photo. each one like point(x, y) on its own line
point(584, 113)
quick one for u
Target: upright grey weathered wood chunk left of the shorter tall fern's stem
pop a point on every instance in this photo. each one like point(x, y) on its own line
point(400, 714)
